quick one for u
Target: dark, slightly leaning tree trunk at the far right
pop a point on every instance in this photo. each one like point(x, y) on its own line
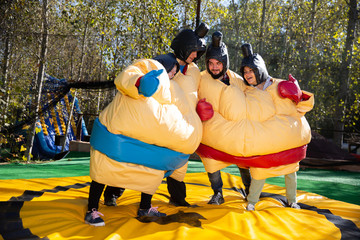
point(344, 74)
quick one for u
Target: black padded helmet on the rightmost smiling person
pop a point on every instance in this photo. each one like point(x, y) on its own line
point(255, 62)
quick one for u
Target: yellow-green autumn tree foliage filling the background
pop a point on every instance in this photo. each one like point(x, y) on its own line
point(304, 38)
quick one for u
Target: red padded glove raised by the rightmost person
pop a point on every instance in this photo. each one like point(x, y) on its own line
point(290, 89)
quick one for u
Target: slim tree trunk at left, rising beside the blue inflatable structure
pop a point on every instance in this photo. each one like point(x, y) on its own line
point(40, 79)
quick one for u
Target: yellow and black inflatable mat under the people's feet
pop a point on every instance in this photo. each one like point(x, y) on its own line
point(54, 208)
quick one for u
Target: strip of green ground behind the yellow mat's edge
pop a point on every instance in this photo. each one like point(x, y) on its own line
point(77, 164)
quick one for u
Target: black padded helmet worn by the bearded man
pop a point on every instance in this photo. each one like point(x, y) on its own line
point(217, 50)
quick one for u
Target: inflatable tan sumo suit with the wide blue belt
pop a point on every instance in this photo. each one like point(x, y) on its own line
point(137, 139)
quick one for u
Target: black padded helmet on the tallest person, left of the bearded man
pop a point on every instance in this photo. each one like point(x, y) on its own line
point(188, 41)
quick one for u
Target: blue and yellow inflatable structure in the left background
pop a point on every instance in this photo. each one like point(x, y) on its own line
point(50, 141)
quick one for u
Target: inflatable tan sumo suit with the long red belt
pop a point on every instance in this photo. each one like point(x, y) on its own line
point(251, 127)
